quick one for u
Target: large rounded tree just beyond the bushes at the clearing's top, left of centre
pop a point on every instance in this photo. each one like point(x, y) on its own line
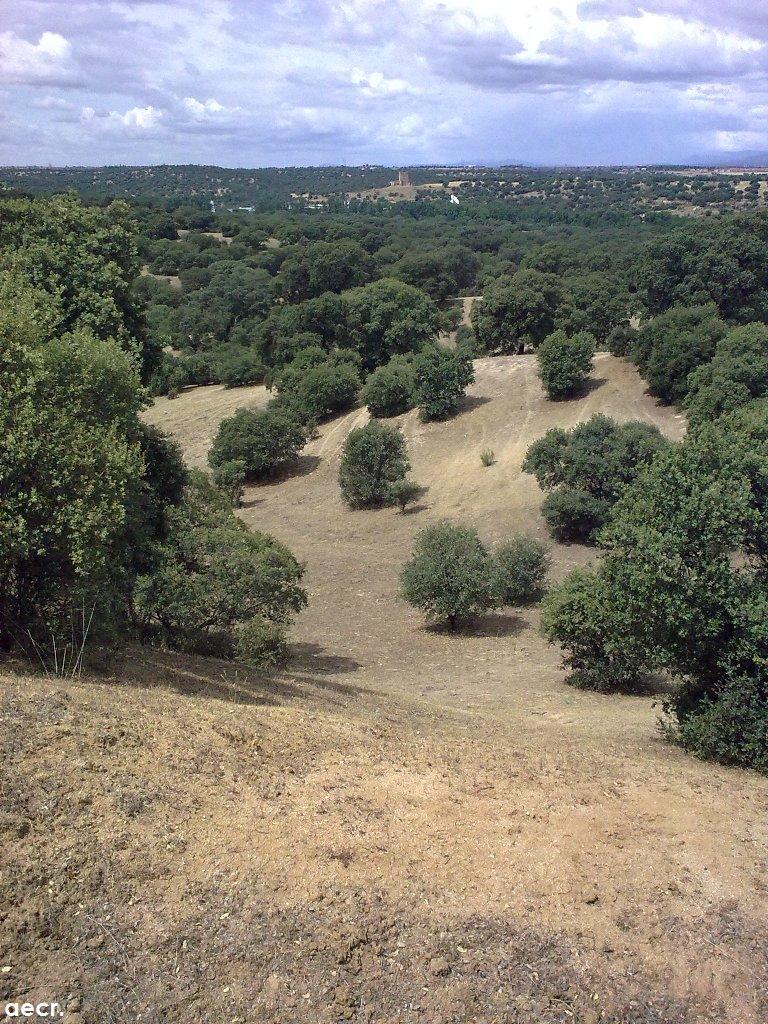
point(389, 318)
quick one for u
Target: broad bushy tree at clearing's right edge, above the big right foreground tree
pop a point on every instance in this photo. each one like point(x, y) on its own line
point(590, 465)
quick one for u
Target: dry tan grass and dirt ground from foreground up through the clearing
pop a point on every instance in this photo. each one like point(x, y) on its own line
point(406, 827)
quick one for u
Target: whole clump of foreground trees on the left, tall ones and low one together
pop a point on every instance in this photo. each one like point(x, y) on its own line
point(105, 536)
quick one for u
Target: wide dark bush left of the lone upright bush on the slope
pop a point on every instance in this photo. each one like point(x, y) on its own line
point(264, 441)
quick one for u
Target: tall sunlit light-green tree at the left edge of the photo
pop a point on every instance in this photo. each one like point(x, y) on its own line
point(68, 458)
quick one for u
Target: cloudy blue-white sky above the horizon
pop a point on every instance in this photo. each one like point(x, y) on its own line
point(249, 83)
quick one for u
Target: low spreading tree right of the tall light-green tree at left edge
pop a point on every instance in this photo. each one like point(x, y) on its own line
point(214, 578)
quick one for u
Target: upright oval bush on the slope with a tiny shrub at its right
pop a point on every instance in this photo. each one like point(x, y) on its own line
point(373, 460)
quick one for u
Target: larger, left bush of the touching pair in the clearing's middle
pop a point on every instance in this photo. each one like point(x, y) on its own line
point(450, 576)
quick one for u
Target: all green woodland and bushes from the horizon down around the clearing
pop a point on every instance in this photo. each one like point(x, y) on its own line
point(105, 535)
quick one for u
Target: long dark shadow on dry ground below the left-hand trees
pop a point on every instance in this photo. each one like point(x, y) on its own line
point(311, 670)
